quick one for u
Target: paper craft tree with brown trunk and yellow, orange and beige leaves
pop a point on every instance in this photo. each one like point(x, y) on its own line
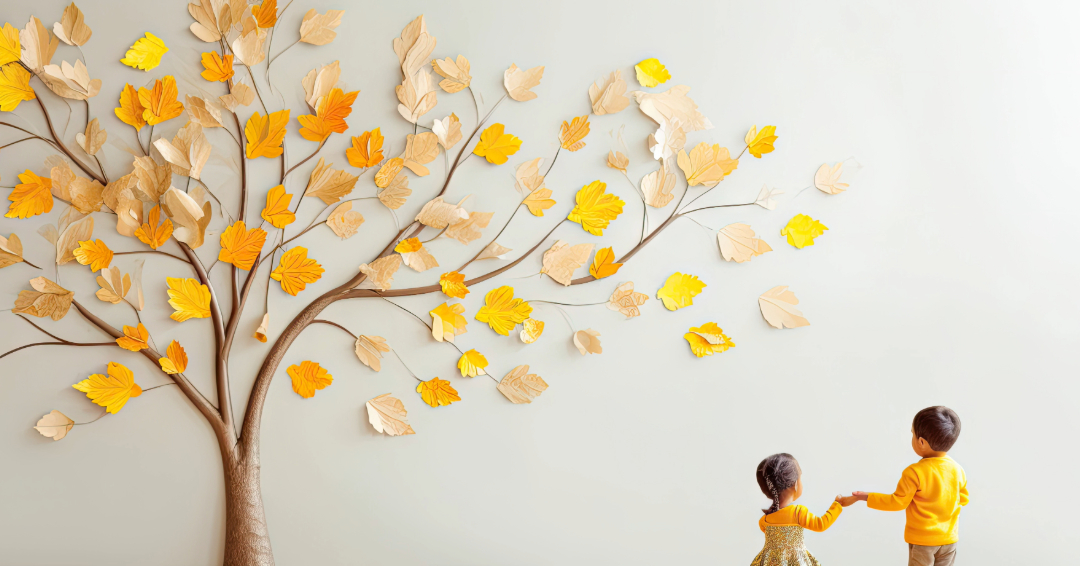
point(160, 205)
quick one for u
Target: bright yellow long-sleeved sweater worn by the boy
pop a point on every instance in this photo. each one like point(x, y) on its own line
point(933, 491)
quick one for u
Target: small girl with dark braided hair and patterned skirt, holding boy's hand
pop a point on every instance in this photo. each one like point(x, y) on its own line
point(780, 479)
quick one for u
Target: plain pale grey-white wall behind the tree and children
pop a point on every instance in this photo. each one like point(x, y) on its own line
point(947, 278)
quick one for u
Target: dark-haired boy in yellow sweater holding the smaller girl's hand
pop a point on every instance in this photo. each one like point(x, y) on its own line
point(933, 491)
